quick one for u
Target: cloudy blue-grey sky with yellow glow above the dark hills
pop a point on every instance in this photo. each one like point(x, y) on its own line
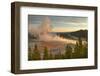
point(60, 23)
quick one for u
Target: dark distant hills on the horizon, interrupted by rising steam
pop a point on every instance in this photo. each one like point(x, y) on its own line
point(69, 35)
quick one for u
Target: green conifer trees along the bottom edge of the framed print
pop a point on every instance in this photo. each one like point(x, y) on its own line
point(78, 51)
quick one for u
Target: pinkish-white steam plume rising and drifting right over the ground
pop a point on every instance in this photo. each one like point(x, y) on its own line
point(43, 31)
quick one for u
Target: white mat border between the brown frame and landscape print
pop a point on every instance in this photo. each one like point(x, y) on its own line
point(25, 64)
